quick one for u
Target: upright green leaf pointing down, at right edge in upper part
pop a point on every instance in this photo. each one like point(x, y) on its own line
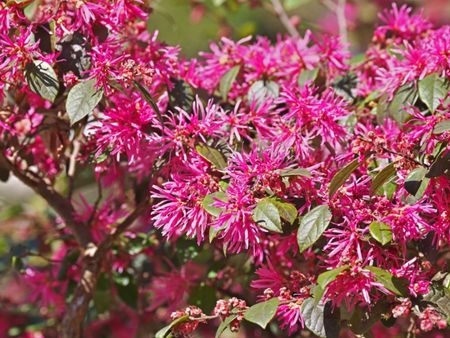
point(432, 89)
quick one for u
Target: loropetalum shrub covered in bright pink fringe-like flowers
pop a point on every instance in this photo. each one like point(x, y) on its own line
point(265, 181)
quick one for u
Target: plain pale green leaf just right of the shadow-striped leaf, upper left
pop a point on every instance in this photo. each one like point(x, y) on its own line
point(82, 100)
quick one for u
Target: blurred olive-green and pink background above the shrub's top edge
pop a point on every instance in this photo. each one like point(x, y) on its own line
point(193, 24)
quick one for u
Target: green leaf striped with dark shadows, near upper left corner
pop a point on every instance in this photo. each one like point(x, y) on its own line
point(42, 79)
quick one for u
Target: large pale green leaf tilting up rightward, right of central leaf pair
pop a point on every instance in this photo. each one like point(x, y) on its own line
point(312, 225)
